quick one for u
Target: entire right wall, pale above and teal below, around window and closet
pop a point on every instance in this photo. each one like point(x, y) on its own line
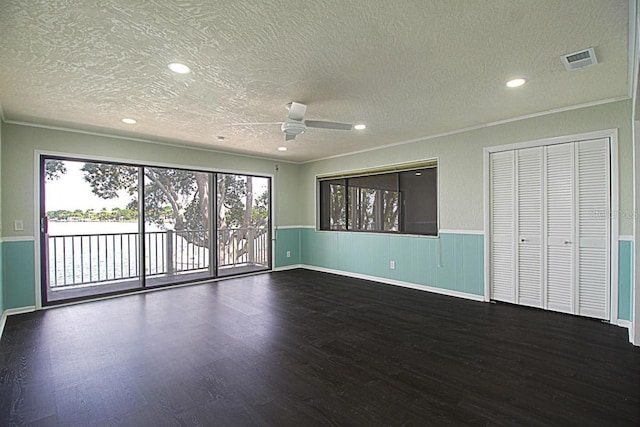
point(453, 262)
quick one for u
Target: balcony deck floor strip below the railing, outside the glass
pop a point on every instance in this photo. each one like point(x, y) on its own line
point(85, 291)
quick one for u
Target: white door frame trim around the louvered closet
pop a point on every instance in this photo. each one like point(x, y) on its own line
point(612, 134)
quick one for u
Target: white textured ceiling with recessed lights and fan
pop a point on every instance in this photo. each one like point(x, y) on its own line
point(406, 68)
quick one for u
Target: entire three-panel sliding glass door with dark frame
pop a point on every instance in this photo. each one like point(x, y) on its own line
point(110, 228)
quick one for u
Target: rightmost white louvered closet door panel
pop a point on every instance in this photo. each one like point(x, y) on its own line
point(593, 175)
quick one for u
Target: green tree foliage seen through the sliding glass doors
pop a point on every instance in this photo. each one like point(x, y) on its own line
point(178, 199)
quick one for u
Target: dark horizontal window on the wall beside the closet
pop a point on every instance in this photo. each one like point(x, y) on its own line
point(404, 202)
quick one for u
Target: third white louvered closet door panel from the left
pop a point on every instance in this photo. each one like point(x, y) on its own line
point(560, 228)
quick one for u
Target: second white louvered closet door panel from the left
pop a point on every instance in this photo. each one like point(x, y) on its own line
point(529, 226)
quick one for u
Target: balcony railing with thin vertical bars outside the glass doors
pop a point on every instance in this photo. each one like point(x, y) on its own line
point(83, 259)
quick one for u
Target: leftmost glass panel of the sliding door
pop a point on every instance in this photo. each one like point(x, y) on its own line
point(89, 230)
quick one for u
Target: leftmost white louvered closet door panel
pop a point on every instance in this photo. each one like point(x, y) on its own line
point(502, 199)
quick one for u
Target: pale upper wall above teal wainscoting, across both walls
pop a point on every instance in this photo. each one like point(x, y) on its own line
point(460, 166)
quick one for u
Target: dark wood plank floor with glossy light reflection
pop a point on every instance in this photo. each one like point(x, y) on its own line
point(303, 348)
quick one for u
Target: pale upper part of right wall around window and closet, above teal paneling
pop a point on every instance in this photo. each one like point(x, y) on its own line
point(460, 161)
